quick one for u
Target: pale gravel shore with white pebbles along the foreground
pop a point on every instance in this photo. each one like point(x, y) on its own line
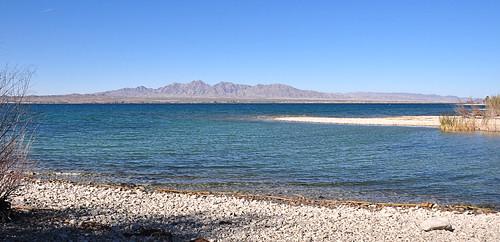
point(54, 210)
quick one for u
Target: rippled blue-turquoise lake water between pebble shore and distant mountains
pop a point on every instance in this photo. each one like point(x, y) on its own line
point(234, 147)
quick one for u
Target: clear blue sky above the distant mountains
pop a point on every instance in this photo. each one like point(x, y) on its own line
point(435, 46)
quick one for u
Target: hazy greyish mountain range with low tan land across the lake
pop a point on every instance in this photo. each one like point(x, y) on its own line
point(199, 91)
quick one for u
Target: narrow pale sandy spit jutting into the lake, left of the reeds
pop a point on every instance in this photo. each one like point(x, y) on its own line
point(419, 121)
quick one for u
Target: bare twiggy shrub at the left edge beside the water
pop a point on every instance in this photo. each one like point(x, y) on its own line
point(14, 132)
